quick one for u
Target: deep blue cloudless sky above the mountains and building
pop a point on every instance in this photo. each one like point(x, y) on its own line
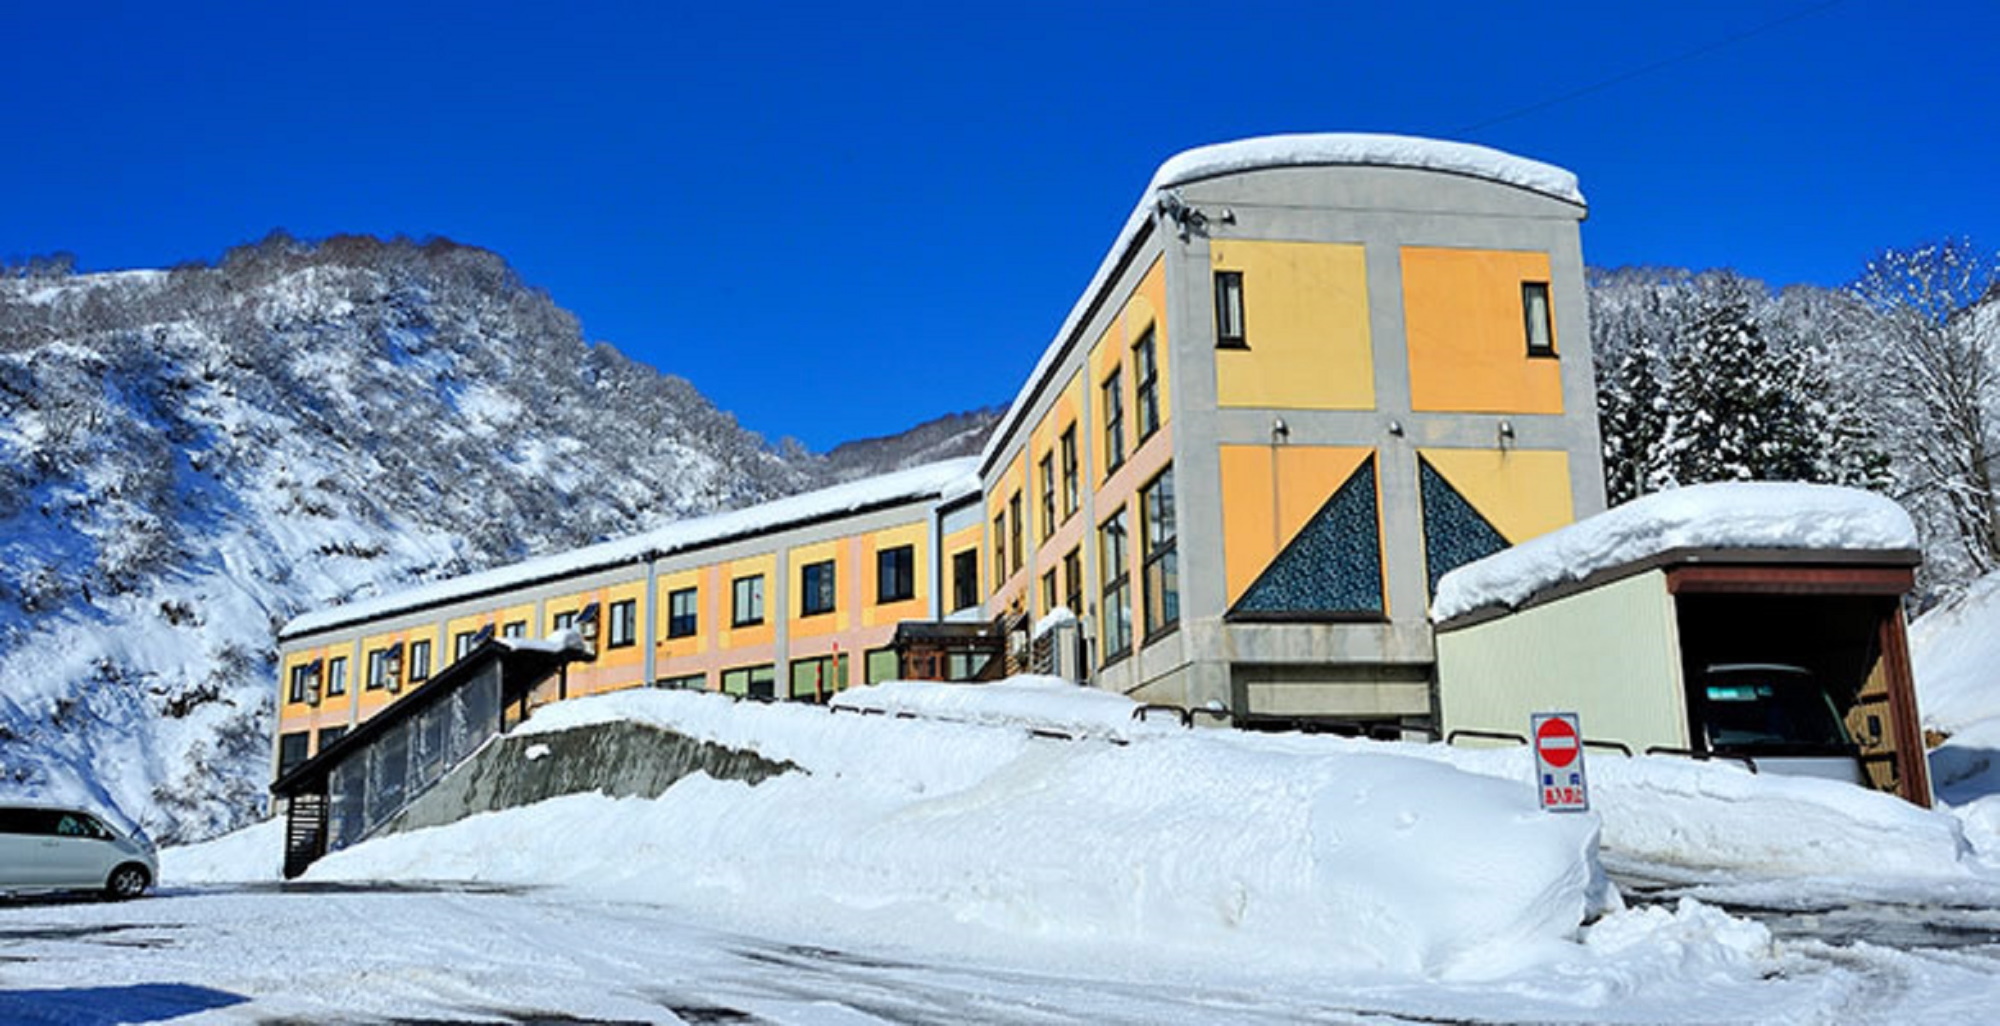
point(839, 223)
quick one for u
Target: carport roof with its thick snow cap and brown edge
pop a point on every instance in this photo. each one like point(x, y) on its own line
point(1741, 523)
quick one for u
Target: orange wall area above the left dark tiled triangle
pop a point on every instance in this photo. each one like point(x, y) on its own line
point(1269, 493)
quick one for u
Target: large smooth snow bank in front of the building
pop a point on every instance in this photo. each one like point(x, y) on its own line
point(971, 839)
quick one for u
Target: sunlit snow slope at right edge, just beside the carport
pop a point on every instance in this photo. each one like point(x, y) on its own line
point(1955, 653)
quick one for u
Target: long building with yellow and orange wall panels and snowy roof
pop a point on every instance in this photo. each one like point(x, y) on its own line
point(1311, 377)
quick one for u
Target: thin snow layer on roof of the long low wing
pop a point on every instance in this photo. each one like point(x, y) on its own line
point(917, 483)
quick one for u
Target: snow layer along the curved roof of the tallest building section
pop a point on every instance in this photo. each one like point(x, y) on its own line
point(1293, 151)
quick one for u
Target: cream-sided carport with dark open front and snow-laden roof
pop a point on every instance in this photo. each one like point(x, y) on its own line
point(1779, 657)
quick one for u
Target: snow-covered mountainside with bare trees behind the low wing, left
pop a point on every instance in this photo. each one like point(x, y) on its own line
point(193, 457)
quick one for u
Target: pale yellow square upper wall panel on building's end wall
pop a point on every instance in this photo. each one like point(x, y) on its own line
point(1305, 325)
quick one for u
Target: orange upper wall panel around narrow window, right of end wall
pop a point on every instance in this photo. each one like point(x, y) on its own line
point(1467, 333)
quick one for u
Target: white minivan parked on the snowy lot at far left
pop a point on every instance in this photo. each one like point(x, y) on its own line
point(69, 849)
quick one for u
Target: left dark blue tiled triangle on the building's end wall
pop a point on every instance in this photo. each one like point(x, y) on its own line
point(1333, 565)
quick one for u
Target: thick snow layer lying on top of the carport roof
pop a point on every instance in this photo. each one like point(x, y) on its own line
point(1741, 515)
